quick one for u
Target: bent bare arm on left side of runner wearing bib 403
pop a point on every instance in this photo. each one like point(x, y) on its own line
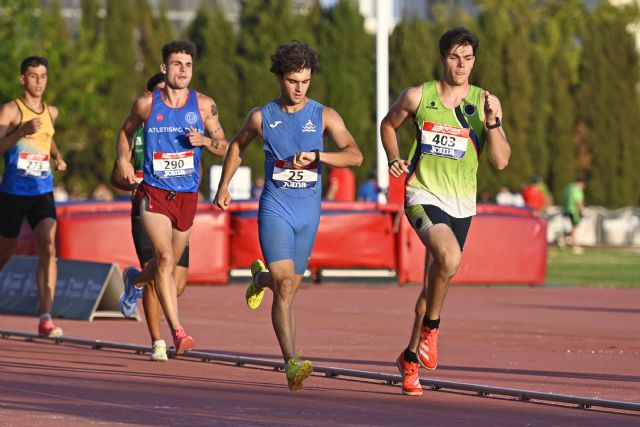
point(402, 110)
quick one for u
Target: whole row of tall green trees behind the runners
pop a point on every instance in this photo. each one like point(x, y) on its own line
point(567, 77)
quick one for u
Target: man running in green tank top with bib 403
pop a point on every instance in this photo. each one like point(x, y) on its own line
point(454, 121)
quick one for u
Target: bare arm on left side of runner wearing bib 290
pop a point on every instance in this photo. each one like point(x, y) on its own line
point(124, 144)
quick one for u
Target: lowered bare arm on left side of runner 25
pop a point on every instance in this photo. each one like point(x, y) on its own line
point(252, 127)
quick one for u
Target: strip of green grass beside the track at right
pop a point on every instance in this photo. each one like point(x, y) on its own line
point(602, 267)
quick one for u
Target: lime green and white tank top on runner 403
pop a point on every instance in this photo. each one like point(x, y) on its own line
point(444, 155)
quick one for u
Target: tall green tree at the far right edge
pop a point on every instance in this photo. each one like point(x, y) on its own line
point(609, 105)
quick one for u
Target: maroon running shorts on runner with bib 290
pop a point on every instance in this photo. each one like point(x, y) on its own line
point(180, 208)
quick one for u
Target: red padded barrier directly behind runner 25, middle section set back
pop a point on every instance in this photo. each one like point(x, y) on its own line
point(344, 240)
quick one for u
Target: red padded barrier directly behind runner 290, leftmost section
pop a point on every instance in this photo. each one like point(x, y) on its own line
point(106, 237)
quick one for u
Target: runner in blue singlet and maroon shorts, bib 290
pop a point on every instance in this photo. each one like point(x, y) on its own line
point(175, 119)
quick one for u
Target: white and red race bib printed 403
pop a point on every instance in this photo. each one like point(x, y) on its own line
point(444, 140)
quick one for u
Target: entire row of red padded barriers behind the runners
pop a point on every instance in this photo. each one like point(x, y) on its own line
point(505, 245)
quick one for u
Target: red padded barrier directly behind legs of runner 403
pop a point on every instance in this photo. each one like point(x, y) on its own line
point(500, 249)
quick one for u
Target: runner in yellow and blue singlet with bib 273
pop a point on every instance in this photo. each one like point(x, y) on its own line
point(26, 191)
